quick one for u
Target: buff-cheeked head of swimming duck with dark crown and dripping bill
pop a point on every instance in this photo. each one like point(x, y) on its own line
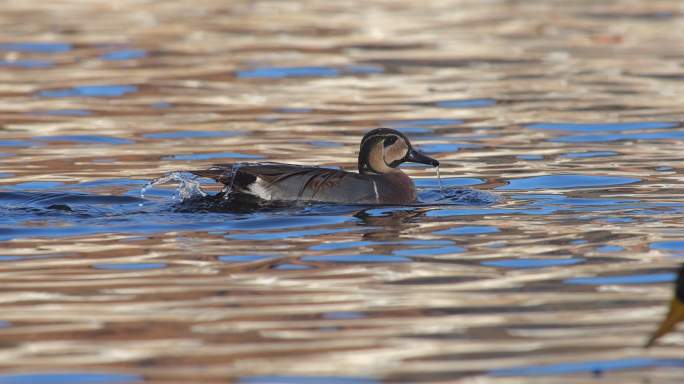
point(383, 150)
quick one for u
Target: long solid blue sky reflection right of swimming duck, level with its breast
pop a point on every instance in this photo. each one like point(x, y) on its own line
point(566, 181)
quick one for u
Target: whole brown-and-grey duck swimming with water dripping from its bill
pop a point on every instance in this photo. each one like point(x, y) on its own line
point(379, 180)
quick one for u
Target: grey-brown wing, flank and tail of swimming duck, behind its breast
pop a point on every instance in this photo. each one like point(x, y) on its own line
point(288, 182)
